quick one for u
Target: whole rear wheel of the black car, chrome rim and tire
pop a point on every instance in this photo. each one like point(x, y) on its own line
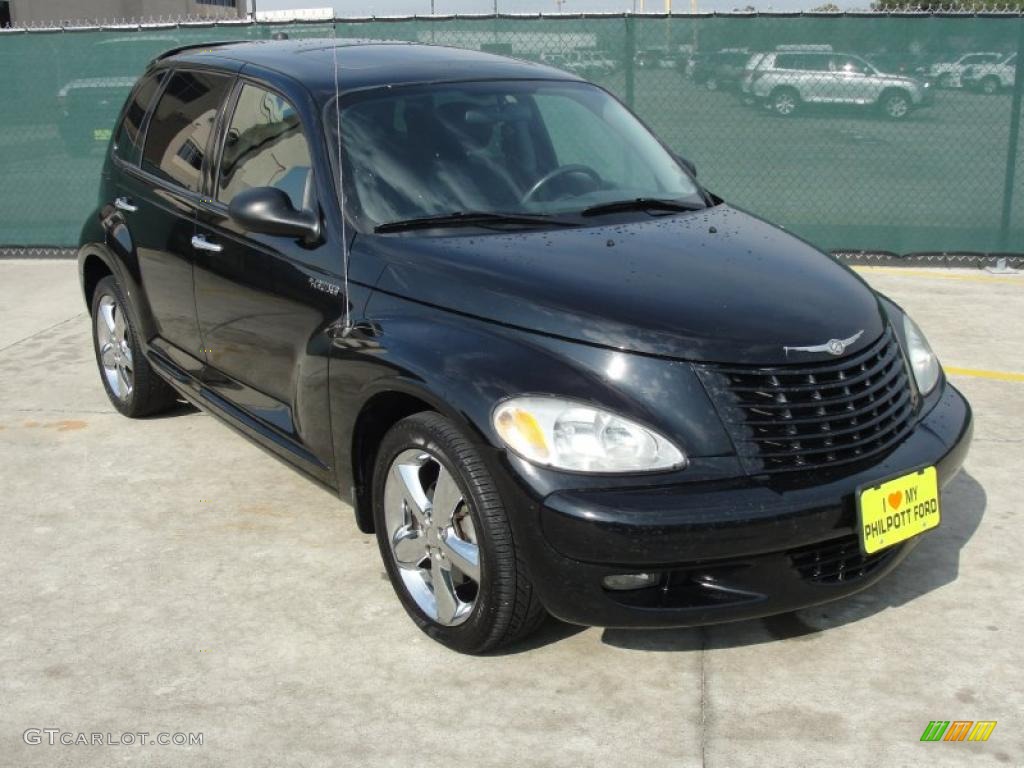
point(132, 385)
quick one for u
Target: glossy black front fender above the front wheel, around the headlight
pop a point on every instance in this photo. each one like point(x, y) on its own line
point(463, 367)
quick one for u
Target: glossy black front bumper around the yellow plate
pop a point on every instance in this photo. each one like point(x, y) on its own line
point(724, 551)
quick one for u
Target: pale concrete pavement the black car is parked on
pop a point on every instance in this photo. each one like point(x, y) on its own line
point(165, 576)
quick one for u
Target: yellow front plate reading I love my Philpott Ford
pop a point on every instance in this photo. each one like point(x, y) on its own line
point(900, 509)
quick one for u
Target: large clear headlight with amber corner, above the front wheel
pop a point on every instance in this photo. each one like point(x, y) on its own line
point(573, 436)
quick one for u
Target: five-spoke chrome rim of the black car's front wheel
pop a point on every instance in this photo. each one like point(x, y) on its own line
point(433, 538)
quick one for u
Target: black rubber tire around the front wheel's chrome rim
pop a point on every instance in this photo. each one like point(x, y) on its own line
point(506, 608)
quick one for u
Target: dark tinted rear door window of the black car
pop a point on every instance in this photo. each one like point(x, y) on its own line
point(180, 131)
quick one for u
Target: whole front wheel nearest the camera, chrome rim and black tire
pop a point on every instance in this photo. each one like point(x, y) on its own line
point(446, 539)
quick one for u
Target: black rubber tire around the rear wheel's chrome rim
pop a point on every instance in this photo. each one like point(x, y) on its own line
point(149, 394)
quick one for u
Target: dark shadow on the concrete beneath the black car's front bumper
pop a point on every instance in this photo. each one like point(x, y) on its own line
point(932, 565)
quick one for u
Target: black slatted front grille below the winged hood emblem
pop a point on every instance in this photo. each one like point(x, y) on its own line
point(813, 416)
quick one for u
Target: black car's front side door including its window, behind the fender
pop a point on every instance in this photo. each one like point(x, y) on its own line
point(265, 302)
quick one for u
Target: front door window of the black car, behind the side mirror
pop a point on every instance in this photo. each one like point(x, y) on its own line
point(266, 148)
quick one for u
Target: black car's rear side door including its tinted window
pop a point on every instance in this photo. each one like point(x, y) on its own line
point(159, 199)
